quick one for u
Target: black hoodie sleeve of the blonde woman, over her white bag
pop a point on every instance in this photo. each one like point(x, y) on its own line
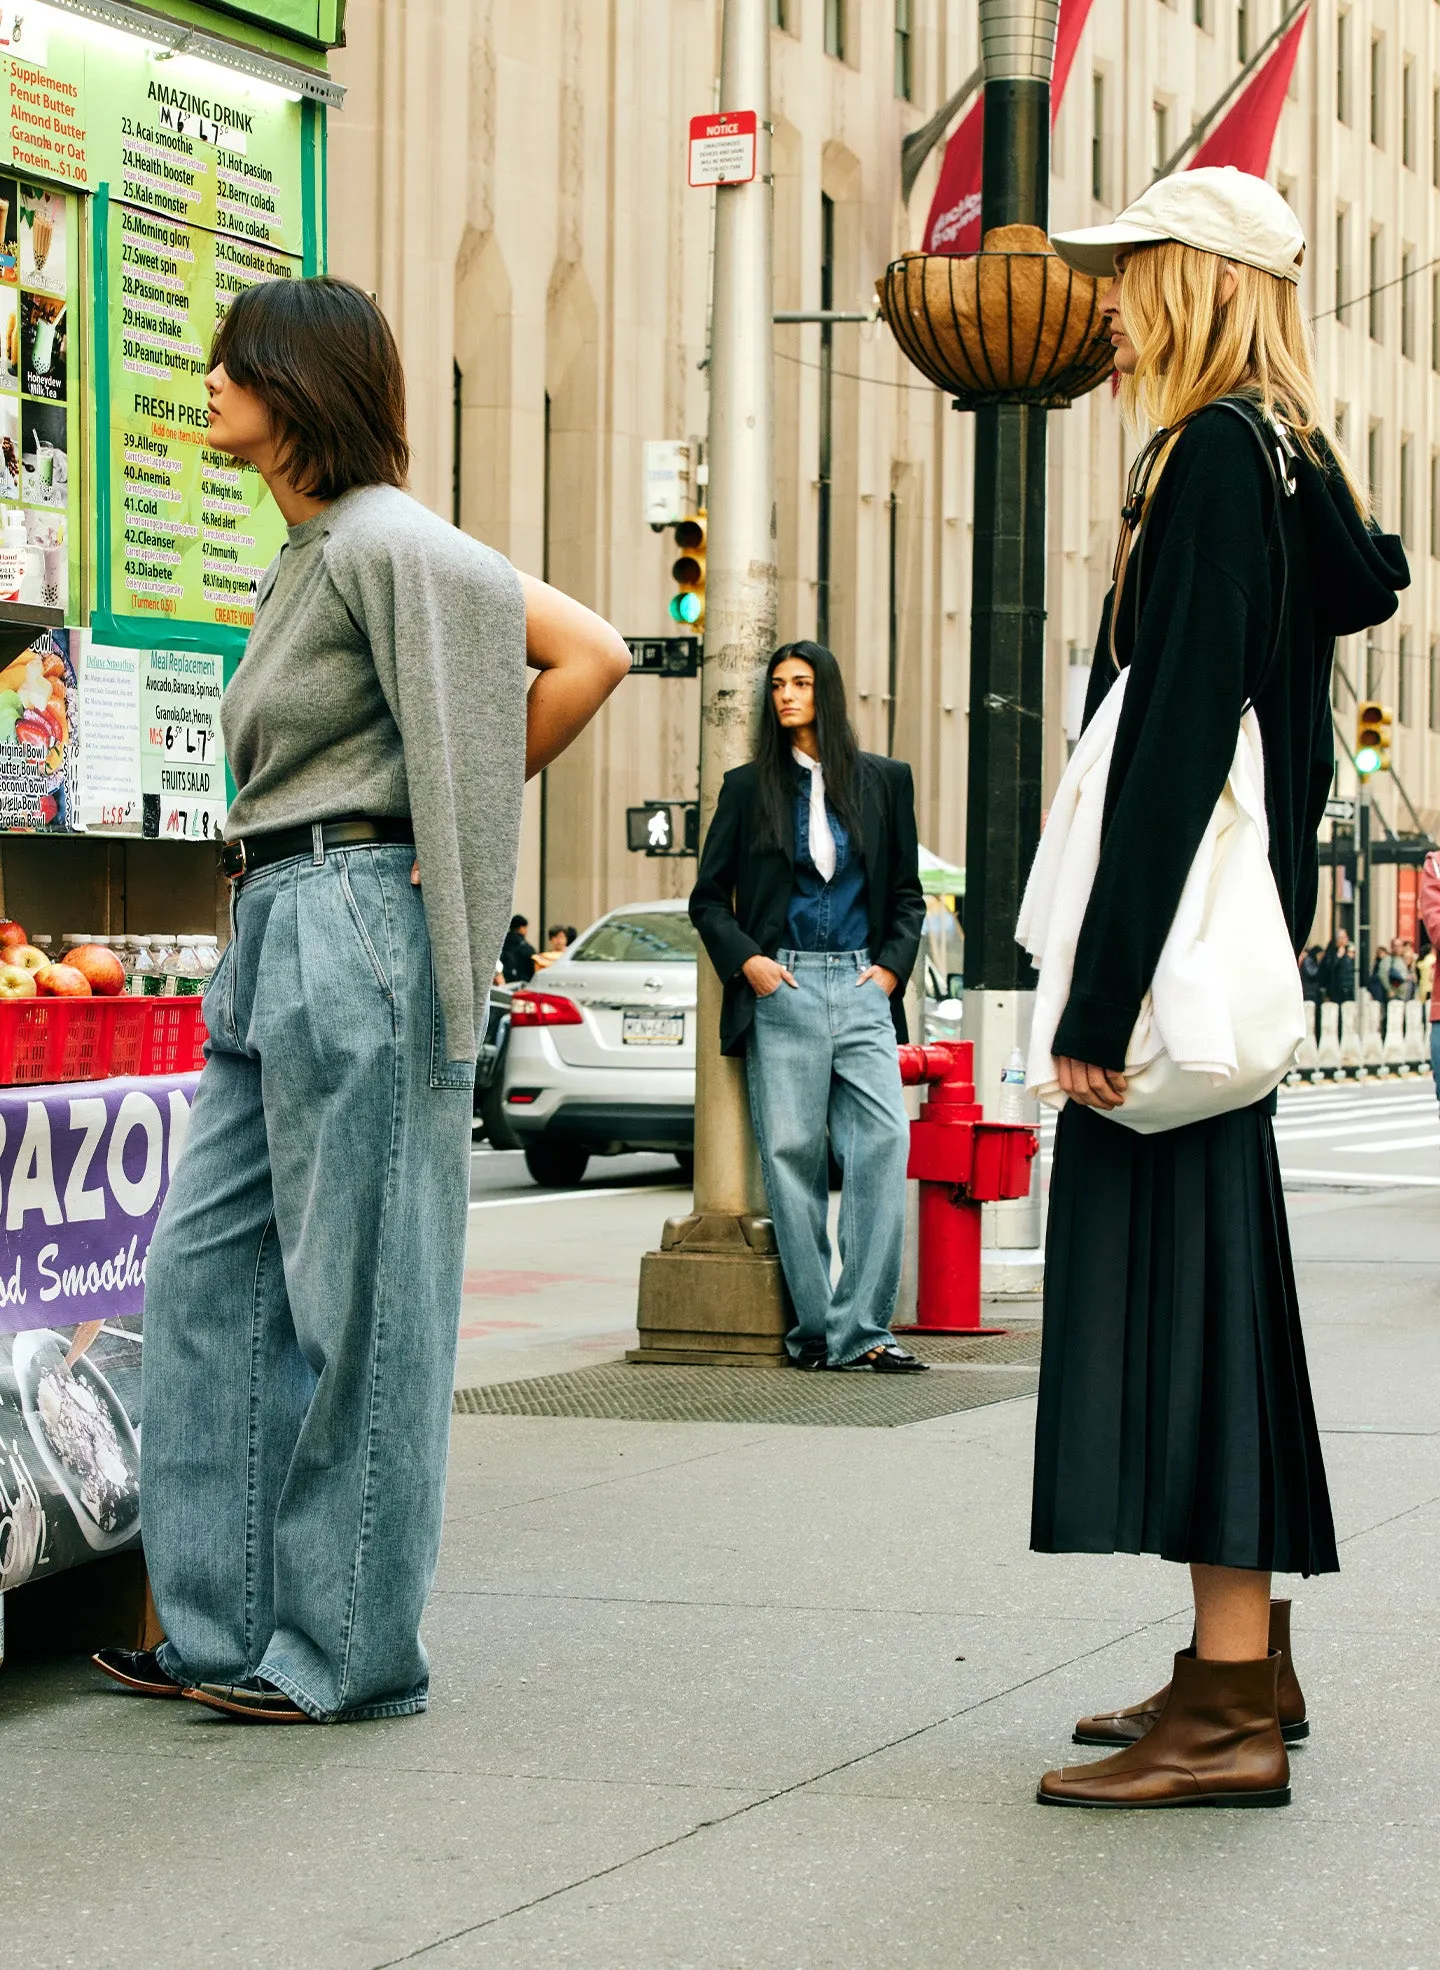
point(1203, 629)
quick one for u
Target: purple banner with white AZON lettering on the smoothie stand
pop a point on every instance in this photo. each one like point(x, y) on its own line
point(84, 1171)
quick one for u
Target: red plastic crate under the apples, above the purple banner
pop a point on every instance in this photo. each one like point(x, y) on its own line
point(92, 1039)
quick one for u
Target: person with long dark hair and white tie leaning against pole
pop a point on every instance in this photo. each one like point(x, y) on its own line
point(809, 903)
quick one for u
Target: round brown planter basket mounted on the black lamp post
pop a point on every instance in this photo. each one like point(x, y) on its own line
point(1006, 326)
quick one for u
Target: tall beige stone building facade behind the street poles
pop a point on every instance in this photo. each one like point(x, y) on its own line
point(507, 176)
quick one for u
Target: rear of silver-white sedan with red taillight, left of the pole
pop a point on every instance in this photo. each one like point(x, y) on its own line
point(602, 1053)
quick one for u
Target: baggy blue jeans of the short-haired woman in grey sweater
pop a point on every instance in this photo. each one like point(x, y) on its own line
point(302, 1299)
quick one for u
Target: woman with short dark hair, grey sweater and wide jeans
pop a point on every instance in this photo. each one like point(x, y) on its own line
point(304, 1283)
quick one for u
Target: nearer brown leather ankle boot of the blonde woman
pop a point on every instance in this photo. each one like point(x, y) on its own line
point(1216, 1744)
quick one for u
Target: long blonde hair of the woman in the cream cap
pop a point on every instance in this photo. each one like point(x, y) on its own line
point(1258, 344)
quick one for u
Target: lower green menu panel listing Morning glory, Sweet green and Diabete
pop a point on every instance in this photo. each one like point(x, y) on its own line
point(192, 531)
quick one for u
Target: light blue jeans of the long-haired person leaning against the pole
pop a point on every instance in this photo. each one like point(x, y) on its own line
point(822, 1053)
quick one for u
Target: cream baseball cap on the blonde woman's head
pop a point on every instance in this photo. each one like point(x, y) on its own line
point(1216, 210)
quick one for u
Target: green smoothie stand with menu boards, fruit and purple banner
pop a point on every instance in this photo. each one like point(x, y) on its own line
point(155, 161)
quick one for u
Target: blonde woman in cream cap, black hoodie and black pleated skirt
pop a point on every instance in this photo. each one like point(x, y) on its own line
point(1175, 1402)
